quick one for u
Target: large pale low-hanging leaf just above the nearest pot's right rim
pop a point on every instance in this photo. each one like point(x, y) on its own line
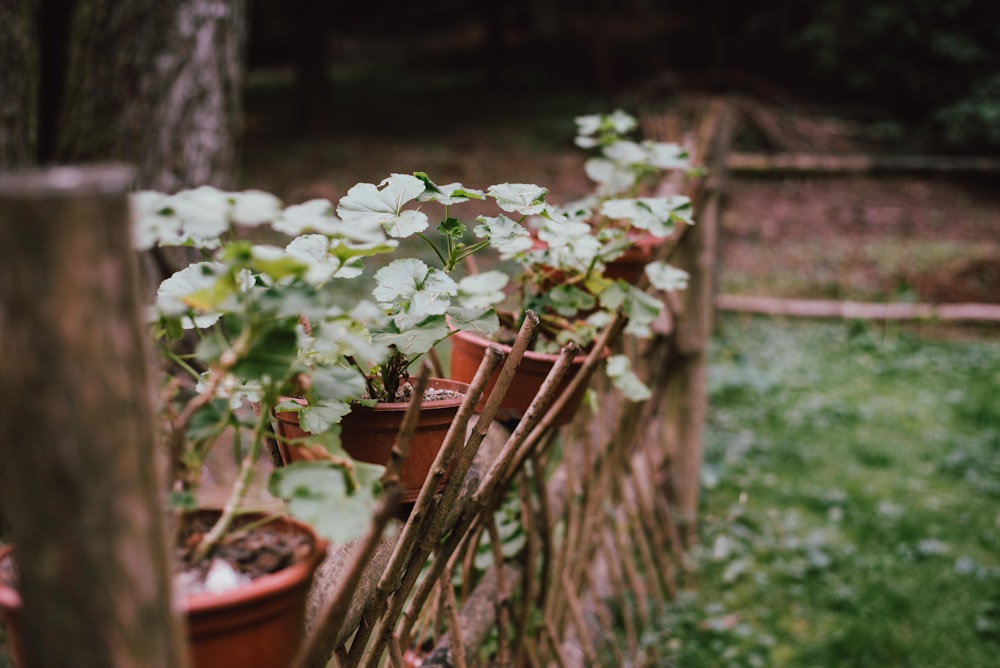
point(319, 494)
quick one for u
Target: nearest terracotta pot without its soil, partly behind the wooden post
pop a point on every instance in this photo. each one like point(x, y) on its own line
point(261, 624)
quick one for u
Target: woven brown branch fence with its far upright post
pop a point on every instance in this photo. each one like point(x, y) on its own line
point(548, 545)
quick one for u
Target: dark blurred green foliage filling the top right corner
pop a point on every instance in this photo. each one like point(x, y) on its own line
point(933, 65)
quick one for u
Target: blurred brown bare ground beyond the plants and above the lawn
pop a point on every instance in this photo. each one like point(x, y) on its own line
point(910, 237)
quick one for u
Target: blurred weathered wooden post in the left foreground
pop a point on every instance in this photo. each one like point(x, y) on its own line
point(79, 484)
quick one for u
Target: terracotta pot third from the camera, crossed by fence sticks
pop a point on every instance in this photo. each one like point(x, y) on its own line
point(467, 352)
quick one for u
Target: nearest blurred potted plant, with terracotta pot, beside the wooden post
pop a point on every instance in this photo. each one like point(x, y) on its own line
point(246, 575)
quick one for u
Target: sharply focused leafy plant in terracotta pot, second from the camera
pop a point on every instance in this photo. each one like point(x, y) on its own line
point(421, 304)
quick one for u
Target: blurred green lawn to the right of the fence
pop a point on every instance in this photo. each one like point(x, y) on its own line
point(851, 502)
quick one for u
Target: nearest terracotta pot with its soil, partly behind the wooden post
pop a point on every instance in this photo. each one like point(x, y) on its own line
point(258, 623)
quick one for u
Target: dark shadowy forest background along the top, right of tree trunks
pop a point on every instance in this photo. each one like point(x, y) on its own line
point(921, 74)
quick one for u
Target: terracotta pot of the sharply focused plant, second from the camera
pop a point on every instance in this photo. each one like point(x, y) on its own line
point(367, 434)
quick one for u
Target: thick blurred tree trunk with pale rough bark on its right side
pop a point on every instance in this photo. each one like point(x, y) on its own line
point(157, 84)
